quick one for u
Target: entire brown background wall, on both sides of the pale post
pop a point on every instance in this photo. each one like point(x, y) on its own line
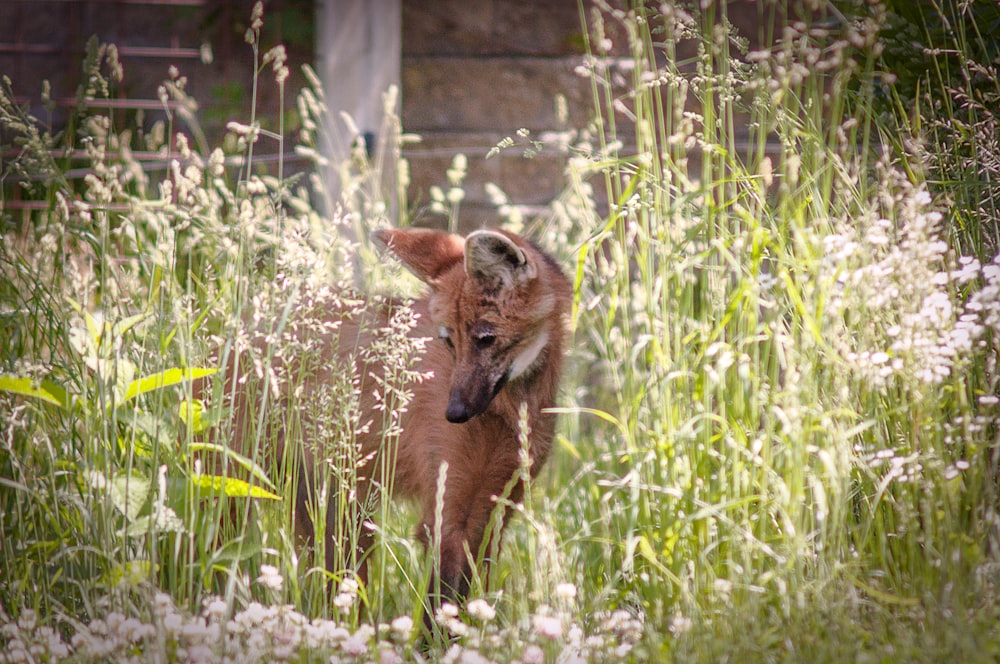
point(473, 72)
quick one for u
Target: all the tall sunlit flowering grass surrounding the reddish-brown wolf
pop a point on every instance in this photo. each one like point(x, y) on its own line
point(778, 437)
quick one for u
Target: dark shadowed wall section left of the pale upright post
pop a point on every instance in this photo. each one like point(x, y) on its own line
point(45, 40)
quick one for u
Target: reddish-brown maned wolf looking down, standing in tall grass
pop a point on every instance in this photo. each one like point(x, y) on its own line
point(498, 310)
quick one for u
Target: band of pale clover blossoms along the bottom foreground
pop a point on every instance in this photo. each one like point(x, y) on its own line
point(260, 633)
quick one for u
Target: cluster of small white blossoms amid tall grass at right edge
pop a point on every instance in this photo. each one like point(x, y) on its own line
point(895, 297)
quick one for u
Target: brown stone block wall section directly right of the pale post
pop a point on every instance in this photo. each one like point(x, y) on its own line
point(474, 72)
